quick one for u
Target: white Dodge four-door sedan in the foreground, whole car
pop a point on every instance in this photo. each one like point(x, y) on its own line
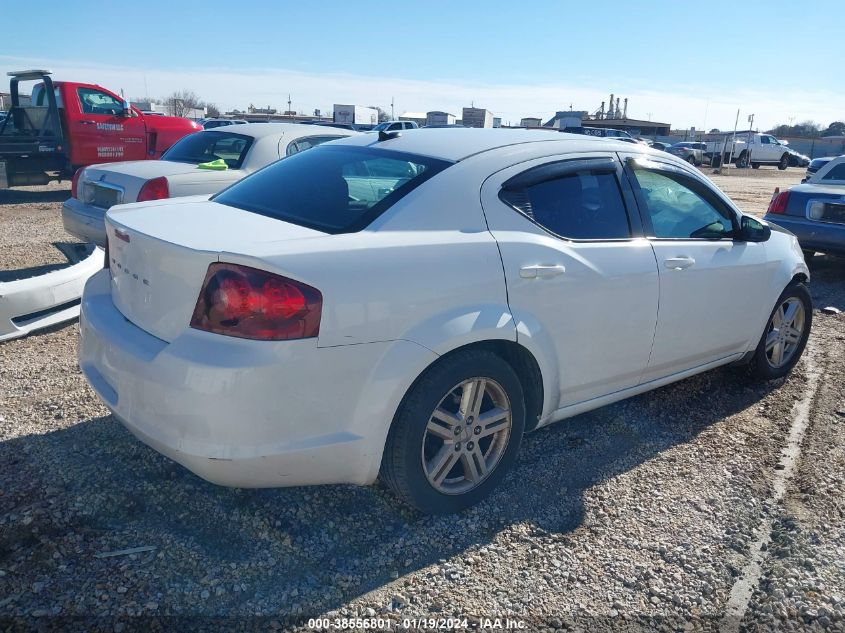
point(409, 306)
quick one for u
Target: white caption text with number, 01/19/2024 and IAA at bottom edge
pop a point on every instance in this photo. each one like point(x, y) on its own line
point(414, 624)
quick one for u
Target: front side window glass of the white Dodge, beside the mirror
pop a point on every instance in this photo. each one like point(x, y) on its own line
point(682, 208)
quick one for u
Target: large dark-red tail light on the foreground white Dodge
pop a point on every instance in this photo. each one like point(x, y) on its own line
point(250, 303)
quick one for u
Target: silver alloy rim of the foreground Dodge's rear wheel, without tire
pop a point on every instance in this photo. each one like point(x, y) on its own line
point(466, 435)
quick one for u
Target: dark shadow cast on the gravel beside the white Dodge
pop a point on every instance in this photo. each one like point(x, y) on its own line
point(68, 495)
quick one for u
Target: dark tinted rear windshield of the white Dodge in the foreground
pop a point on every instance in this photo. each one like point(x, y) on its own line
point(334, 189)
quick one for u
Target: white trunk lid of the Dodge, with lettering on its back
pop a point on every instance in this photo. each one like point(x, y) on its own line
point(159, 254)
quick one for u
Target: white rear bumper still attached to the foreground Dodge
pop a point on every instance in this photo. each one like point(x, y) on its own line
point(239, 412)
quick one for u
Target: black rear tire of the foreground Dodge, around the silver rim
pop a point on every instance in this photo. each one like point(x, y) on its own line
point(402, 467)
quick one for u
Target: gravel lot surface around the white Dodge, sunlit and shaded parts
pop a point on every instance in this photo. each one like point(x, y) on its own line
point(641, 515)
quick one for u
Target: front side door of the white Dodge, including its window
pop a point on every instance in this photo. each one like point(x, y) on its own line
point(712, 287)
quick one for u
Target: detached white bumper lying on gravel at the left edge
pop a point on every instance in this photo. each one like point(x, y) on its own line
point(44, 300)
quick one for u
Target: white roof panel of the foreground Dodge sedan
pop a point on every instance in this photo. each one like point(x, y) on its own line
point(455, 144)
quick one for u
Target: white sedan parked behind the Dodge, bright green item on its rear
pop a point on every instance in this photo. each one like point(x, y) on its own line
point(201, 163)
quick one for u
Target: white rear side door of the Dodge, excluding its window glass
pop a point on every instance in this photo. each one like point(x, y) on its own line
point(567, 309)
